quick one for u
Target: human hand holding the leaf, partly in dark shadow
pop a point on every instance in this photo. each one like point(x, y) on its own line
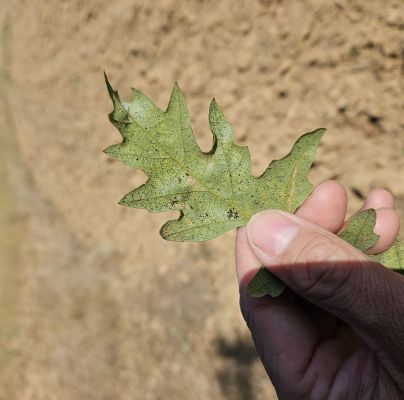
point(339, 333)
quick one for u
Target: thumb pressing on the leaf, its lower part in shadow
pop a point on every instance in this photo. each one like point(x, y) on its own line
point(326, 270)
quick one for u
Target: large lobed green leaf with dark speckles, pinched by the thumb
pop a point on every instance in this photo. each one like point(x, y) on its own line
point(214, 192)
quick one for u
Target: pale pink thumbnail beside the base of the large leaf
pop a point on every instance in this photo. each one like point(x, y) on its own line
point(270, 233)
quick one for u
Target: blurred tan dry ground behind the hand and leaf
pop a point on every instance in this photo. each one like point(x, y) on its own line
point(93, 303)
